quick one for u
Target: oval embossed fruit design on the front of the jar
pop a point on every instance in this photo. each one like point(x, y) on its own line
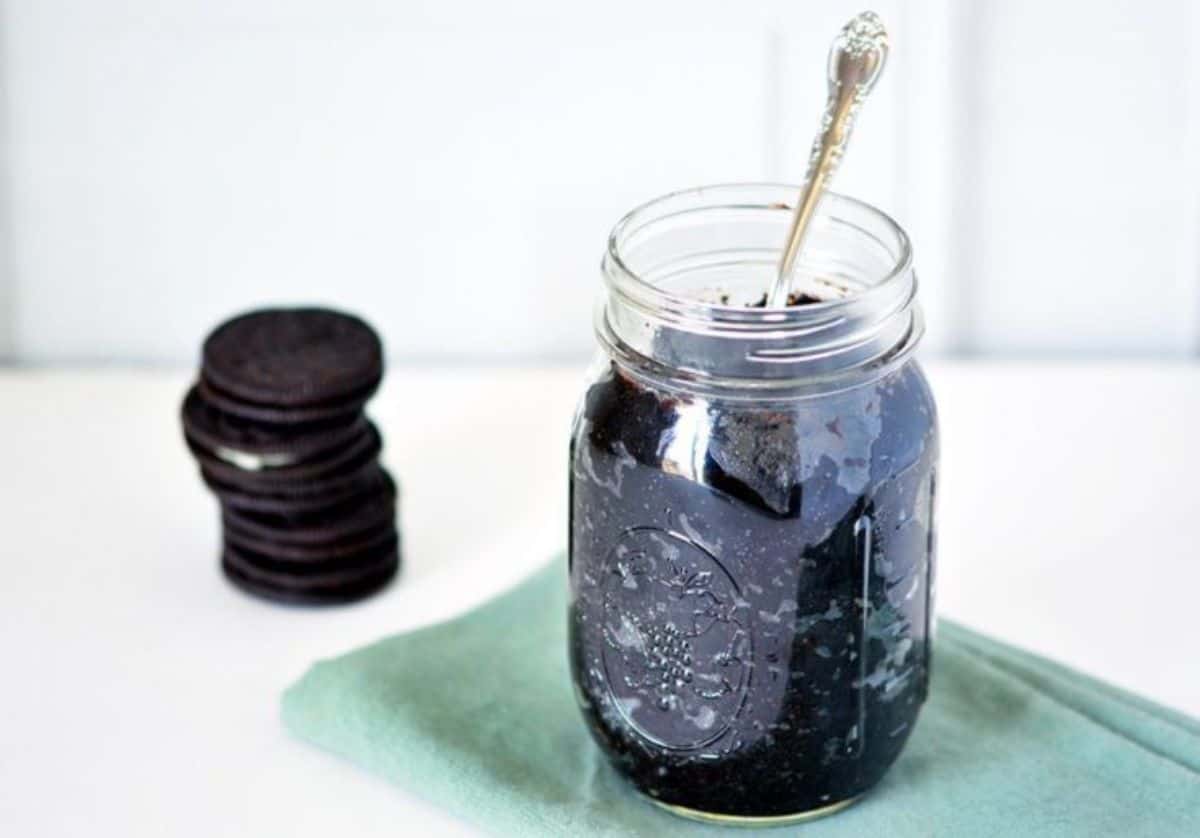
point(677, 643)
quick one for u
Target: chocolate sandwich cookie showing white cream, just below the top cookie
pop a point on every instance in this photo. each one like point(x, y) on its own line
point(257, 446)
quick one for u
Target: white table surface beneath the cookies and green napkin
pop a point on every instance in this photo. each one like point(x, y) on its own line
point(140, 692)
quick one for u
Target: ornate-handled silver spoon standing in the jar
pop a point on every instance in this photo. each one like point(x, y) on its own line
point(856, 61)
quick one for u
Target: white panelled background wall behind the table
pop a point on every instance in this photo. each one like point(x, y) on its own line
point(451, 169)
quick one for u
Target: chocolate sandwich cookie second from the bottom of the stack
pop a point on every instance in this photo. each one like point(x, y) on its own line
point(369, 512)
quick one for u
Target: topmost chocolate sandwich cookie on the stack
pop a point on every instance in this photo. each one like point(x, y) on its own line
point(293, 358)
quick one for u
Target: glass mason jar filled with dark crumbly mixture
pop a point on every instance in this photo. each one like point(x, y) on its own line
point(752, 535)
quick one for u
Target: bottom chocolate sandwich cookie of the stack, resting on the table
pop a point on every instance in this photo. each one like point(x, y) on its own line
point(343, 584)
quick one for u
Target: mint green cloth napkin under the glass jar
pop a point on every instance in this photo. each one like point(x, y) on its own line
point(477, 715)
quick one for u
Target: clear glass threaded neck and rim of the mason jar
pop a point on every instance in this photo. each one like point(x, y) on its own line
point(683, 272)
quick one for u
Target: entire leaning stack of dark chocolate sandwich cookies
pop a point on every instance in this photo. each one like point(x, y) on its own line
point(278, 428)
